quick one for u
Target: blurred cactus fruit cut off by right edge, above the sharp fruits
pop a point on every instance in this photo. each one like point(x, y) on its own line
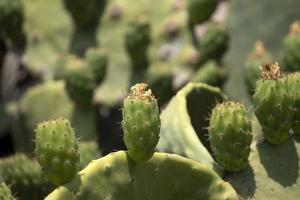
point(290, 55)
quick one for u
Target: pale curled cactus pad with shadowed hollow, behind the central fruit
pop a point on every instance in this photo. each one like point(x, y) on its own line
point(184, 121)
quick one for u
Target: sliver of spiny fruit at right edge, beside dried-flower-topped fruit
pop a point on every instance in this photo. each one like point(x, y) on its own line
point(294, 84)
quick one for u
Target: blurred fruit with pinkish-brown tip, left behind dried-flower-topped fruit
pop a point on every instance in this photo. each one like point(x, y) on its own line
point(256, 58)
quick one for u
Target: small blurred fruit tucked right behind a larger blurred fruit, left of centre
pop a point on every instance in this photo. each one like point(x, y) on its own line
point(97, 60)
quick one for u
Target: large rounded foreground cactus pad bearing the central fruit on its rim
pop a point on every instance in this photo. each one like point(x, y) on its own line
point(163, 177)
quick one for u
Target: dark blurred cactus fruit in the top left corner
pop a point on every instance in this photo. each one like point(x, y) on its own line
point(11, 21)
